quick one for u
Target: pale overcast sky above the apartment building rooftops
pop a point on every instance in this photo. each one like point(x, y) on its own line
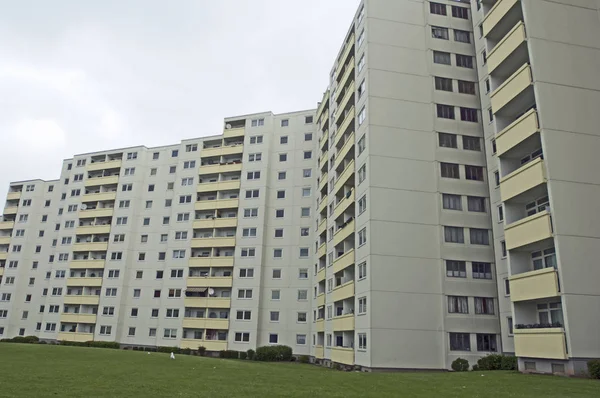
point(81, 76)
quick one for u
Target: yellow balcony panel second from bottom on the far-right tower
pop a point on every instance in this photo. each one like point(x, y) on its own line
point(538, 284)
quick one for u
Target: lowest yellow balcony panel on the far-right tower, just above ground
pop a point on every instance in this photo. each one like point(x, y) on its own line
point(540, 343)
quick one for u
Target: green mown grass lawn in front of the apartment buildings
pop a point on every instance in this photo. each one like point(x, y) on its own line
point(45, 371)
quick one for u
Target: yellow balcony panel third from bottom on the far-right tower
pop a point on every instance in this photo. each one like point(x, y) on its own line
point(528, 230)
